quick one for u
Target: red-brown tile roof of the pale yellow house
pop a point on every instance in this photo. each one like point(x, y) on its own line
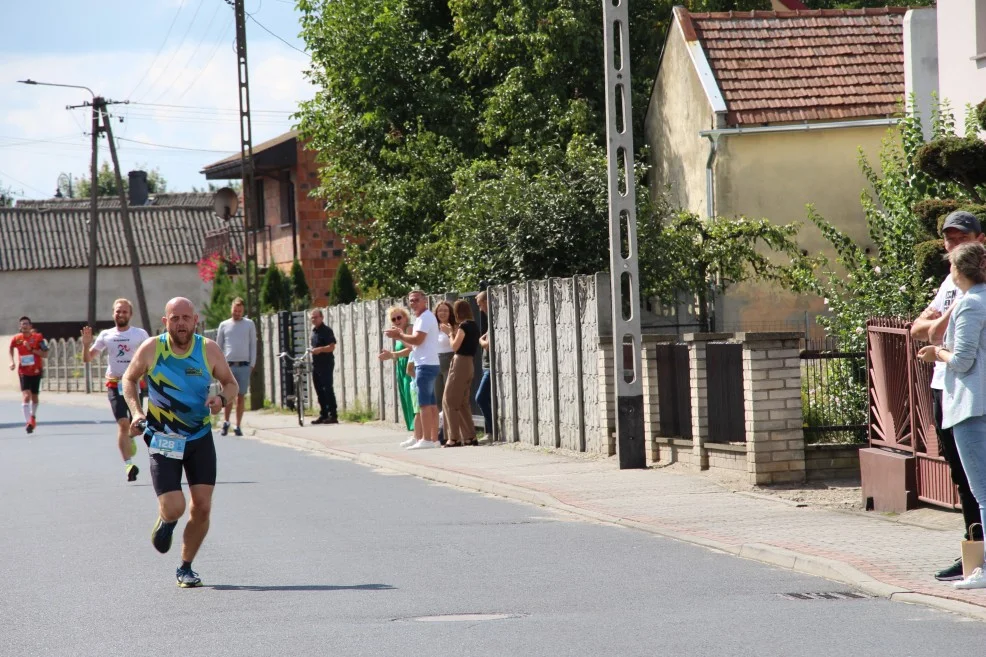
point(776, 67)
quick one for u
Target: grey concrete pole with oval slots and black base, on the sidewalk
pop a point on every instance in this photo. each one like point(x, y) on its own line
point(623, 230)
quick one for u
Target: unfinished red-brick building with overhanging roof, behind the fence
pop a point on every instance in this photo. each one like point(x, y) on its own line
point(293, 225)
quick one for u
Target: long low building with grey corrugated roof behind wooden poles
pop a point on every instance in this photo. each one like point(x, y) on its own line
point(44, 258)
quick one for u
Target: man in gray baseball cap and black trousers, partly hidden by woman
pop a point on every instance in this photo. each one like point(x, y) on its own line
point(958, 228)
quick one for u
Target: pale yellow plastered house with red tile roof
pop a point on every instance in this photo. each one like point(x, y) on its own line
point(761, 113)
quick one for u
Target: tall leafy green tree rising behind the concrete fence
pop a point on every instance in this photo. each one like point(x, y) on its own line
point(417, 97)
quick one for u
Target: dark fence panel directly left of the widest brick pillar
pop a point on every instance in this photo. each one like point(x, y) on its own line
point(724, 371)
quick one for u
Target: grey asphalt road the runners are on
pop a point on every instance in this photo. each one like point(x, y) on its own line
point(310, 555)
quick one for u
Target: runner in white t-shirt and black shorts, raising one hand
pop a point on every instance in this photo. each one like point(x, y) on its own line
point(120, 344)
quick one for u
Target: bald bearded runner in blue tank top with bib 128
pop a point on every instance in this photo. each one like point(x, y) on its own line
point(180, 366)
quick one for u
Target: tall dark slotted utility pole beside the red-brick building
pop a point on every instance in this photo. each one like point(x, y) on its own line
point(251, 227)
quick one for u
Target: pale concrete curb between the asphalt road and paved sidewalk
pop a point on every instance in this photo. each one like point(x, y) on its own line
point(830, 569)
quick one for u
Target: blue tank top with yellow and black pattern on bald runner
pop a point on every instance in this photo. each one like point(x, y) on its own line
point(178, 388)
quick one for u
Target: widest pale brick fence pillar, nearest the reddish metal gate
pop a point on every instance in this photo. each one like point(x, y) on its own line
point(775, 445)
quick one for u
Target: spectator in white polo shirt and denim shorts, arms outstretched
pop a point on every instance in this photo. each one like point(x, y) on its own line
point(424, 345)
